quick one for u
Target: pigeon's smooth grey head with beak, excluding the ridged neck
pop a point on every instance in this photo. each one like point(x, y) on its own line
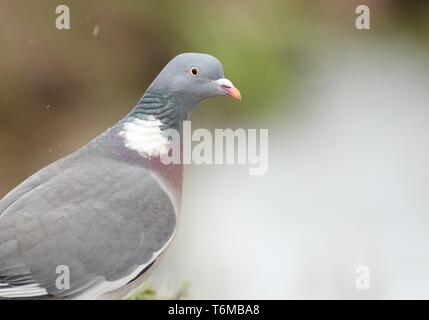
point(190, 78)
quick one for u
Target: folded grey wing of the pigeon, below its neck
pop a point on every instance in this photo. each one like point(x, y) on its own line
point(102, 219)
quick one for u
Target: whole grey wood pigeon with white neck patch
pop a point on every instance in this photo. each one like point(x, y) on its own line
point(104, 214)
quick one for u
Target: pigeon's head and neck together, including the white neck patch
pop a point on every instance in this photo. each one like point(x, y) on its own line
point(186, 80)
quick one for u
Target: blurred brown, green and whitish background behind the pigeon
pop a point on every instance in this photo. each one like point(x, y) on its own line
point(348, 118)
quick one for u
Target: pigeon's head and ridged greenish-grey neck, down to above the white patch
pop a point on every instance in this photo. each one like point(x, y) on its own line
point(186, 80)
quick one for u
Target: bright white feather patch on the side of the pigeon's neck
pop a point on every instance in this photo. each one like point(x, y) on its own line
point(145, 137)
